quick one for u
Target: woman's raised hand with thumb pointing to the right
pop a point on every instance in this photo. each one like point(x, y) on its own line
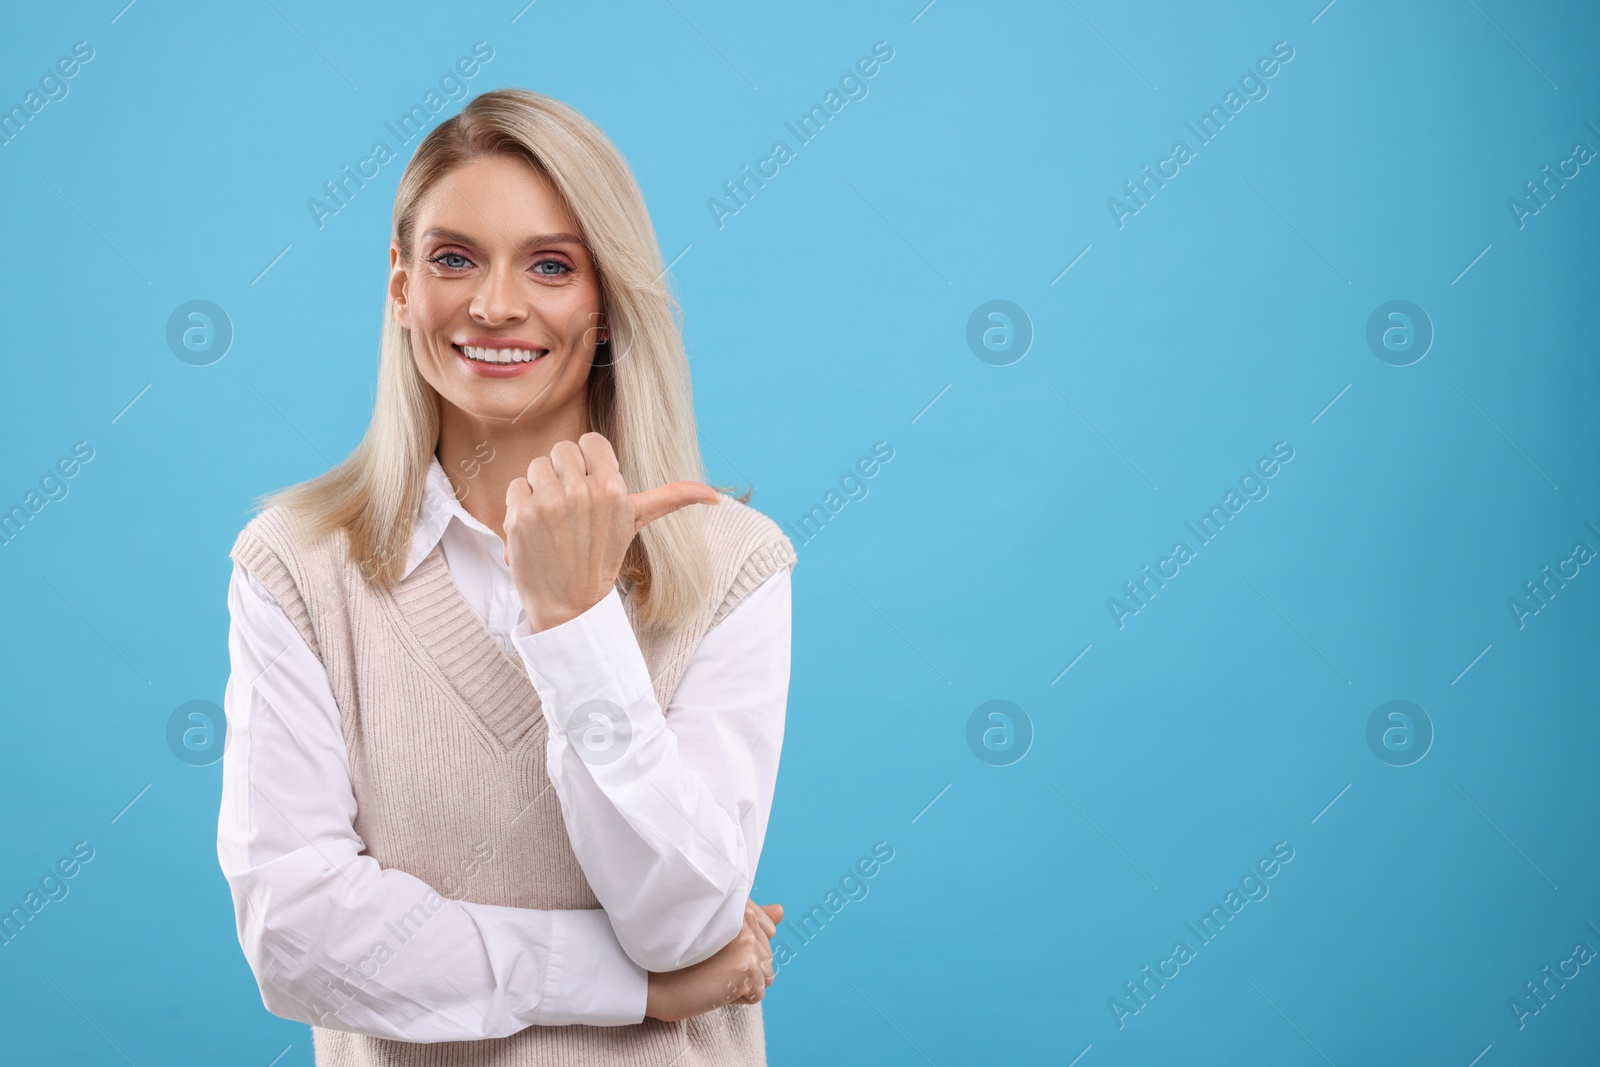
point(569, 526)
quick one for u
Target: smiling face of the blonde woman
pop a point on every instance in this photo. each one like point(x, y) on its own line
point(500, 295)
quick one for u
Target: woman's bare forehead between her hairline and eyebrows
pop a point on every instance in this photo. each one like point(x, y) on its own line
point(497, 199)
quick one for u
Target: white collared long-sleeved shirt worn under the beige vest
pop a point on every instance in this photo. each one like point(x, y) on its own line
point(670, 837)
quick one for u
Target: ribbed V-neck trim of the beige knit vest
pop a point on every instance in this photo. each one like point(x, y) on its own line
point(449, 636)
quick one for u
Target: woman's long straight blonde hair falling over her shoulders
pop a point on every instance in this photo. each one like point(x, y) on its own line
point(639, 398)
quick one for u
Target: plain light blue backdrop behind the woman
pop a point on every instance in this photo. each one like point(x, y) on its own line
point(823, 318)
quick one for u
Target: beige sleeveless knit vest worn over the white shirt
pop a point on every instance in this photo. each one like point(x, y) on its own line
point(447, 748)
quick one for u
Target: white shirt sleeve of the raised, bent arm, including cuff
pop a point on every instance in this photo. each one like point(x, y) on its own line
point(666, 810)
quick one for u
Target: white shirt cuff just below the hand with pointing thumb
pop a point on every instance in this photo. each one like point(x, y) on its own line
point(593, 657)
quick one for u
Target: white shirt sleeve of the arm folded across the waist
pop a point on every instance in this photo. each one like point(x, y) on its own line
point(311, 908)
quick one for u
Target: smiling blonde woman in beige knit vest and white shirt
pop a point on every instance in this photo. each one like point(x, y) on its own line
point(508, 684)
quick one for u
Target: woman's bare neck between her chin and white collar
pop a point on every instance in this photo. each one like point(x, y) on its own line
point(482, 457)
